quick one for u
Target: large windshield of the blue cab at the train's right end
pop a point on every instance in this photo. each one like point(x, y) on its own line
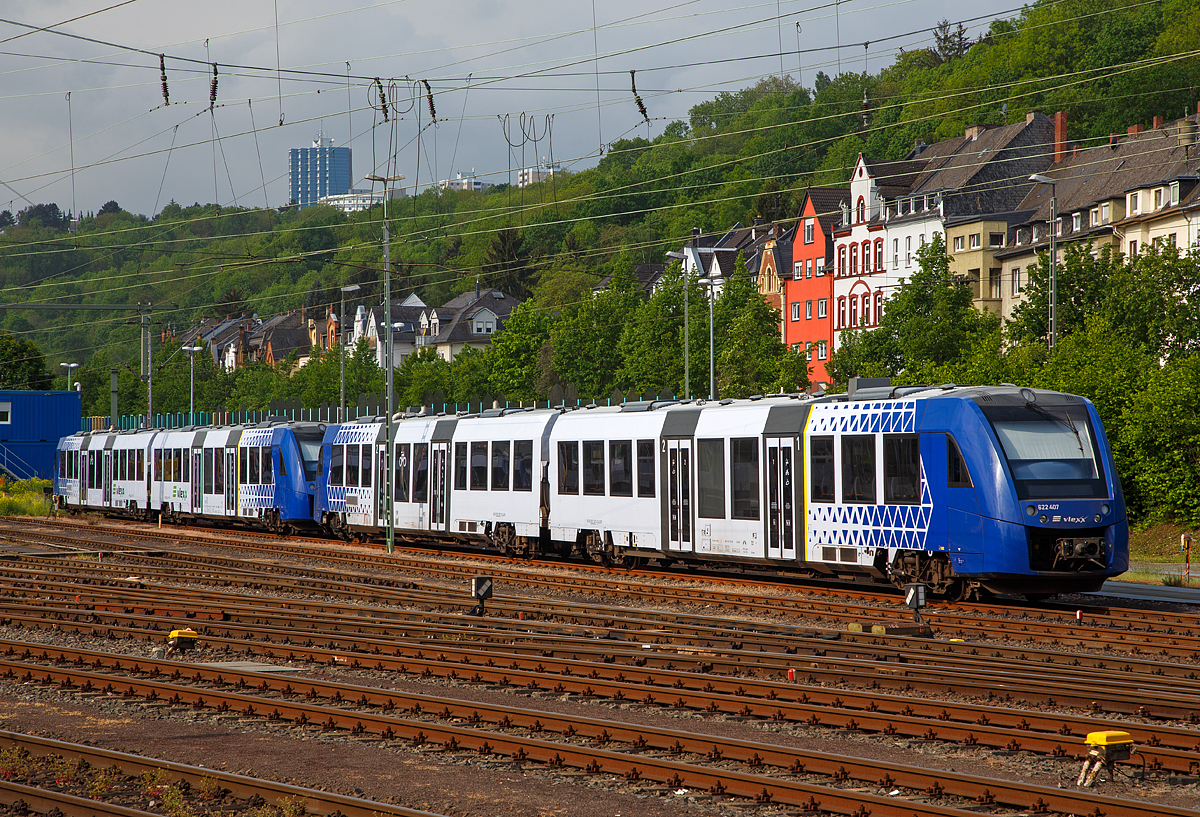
point(1052, 452)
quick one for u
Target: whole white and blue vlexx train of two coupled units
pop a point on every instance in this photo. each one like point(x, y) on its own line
point(969, 491)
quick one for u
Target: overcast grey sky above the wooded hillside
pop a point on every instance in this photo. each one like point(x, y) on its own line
point(488, 63)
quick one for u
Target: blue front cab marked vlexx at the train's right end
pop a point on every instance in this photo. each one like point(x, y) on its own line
point(1033, 503)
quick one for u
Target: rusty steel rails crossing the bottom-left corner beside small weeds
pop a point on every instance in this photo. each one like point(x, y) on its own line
point(316, 802)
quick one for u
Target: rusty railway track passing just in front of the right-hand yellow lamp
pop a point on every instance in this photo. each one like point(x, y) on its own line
point(595, 746)
